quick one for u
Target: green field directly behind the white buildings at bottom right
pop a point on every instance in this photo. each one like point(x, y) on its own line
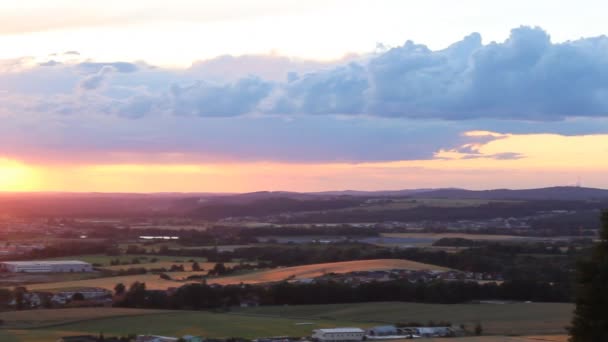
point(497, 319)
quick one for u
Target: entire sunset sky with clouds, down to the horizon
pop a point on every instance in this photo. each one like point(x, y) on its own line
point(239, 96)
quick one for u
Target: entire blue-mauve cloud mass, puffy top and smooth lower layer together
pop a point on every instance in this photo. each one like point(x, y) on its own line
point(404, 103)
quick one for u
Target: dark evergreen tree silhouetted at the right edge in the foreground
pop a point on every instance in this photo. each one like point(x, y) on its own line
point(590, 322)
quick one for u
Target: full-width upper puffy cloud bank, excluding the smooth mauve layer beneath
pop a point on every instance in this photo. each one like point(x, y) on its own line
point(524, 78)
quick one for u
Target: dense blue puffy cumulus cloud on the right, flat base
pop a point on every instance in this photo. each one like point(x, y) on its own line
point(524, 78)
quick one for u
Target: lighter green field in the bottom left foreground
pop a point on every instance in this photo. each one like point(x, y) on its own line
point(168, 323)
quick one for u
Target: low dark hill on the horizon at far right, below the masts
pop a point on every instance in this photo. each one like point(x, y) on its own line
point(570, 193)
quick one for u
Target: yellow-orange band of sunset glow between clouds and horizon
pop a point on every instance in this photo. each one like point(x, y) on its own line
point(535, 160)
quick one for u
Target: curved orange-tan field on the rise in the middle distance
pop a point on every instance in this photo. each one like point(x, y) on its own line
point(315, 270)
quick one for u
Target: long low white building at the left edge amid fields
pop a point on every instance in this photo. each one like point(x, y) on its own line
point(51, 266)
